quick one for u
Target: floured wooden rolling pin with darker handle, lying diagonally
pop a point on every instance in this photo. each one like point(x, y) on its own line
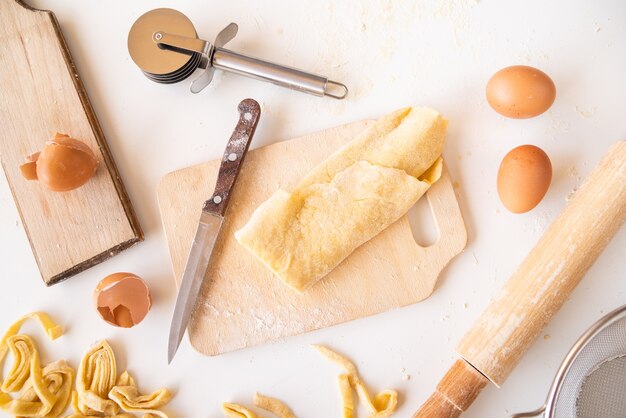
point(536, 291)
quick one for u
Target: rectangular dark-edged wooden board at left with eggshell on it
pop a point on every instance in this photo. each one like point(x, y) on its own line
point(41, 94)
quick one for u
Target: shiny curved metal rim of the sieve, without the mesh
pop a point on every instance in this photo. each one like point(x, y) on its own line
point(557, 384)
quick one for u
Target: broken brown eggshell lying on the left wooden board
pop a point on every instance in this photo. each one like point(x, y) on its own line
point(65, 163)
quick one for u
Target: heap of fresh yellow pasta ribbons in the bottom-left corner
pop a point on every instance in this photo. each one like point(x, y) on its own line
point(46, 393)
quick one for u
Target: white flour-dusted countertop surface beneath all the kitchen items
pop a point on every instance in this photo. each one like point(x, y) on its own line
point(390, 54)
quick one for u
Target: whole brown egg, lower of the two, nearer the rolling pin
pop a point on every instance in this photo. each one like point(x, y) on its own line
point(523, 178)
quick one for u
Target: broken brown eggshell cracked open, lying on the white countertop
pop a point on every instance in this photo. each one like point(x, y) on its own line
point(122, 299)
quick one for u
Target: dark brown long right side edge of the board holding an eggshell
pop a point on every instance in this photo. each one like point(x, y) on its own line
point(122, 194)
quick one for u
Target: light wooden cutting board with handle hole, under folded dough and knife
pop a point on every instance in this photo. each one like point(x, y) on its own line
point(241, 304)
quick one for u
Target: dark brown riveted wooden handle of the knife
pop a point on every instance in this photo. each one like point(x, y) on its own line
point(235, 153)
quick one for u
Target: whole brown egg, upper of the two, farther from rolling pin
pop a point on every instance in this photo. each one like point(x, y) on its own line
point(520, 92)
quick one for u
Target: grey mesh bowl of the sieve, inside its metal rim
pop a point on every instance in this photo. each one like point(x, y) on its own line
point(595, 385)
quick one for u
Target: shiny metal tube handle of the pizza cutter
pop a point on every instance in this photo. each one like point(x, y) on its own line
point(281, 75)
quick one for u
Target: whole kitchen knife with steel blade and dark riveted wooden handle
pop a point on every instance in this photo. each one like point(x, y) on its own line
point(210, 223)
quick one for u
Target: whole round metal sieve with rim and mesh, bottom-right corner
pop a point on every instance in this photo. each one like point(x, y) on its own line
point(591, 382)
